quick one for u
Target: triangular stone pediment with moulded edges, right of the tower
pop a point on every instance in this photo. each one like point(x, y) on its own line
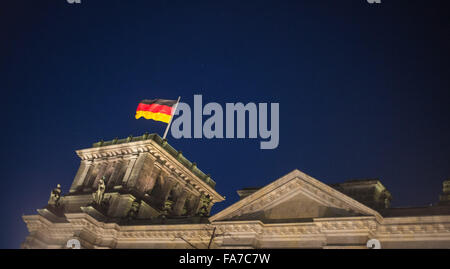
point(294, 197)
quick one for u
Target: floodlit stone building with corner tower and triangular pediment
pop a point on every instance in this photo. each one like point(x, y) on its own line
point(139, 192)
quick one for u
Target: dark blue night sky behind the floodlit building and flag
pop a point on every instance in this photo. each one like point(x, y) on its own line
point(363, 89)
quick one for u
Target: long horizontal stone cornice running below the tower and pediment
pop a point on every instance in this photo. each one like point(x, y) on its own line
point(315, 230)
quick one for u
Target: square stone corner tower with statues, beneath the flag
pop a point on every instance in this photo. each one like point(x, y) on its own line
point(132, 181)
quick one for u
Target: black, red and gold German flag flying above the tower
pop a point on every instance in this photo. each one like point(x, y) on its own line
point(156, 109)
